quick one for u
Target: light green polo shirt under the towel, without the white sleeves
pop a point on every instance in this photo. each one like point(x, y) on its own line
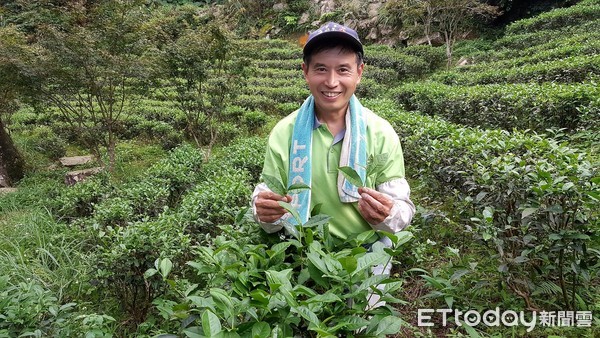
point(345, 217)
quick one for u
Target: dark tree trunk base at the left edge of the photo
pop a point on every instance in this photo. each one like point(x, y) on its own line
point(12, 165)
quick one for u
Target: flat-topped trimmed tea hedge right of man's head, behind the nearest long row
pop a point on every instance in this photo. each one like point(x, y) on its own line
point(522, 106)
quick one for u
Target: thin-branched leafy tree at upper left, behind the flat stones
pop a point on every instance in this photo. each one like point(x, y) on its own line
point(89, 67)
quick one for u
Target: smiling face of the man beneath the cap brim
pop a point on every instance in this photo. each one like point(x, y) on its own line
point(332, 77)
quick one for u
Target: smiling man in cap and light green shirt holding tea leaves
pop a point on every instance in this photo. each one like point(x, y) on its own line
point(331, 130)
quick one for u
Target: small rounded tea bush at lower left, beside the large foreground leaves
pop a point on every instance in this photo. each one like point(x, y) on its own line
point(124, 254)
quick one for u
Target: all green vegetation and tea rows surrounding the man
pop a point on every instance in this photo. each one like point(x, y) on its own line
point(175, 99)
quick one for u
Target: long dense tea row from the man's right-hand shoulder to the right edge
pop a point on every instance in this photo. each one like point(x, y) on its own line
point(530, 198)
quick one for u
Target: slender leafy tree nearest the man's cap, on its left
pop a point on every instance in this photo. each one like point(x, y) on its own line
point(200, 63)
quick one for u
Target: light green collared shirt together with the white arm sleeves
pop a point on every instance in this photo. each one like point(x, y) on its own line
point(326, 150)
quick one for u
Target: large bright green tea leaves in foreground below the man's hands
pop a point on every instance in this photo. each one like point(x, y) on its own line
point(307, 285)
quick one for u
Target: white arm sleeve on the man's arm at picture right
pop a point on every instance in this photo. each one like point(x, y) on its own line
point(403, 209)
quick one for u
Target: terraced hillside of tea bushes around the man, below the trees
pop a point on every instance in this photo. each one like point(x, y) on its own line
point(501, 155)
